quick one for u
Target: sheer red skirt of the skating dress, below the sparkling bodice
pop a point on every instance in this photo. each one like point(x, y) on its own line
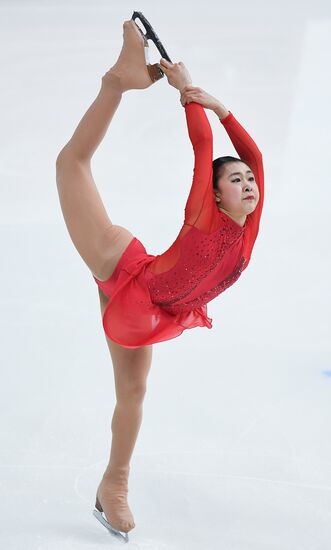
point(131, 318)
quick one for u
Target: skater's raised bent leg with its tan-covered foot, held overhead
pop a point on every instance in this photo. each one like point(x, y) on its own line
point(97, 240)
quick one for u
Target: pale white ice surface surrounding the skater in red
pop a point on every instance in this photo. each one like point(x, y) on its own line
point(234, 451)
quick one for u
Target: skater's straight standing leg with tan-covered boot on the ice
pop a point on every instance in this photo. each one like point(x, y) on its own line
point(131, 367)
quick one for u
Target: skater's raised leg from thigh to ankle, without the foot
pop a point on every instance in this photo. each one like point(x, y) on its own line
point(99, 242)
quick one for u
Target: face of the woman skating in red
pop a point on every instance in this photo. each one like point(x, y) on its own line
point(236, 182)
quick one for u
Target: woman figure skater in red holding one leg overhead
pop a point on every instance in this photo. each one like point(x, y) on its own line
point(145, 299)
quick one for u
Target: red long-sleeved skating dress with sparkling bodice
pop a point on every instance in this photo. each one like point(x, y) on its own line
point(155, 298)
